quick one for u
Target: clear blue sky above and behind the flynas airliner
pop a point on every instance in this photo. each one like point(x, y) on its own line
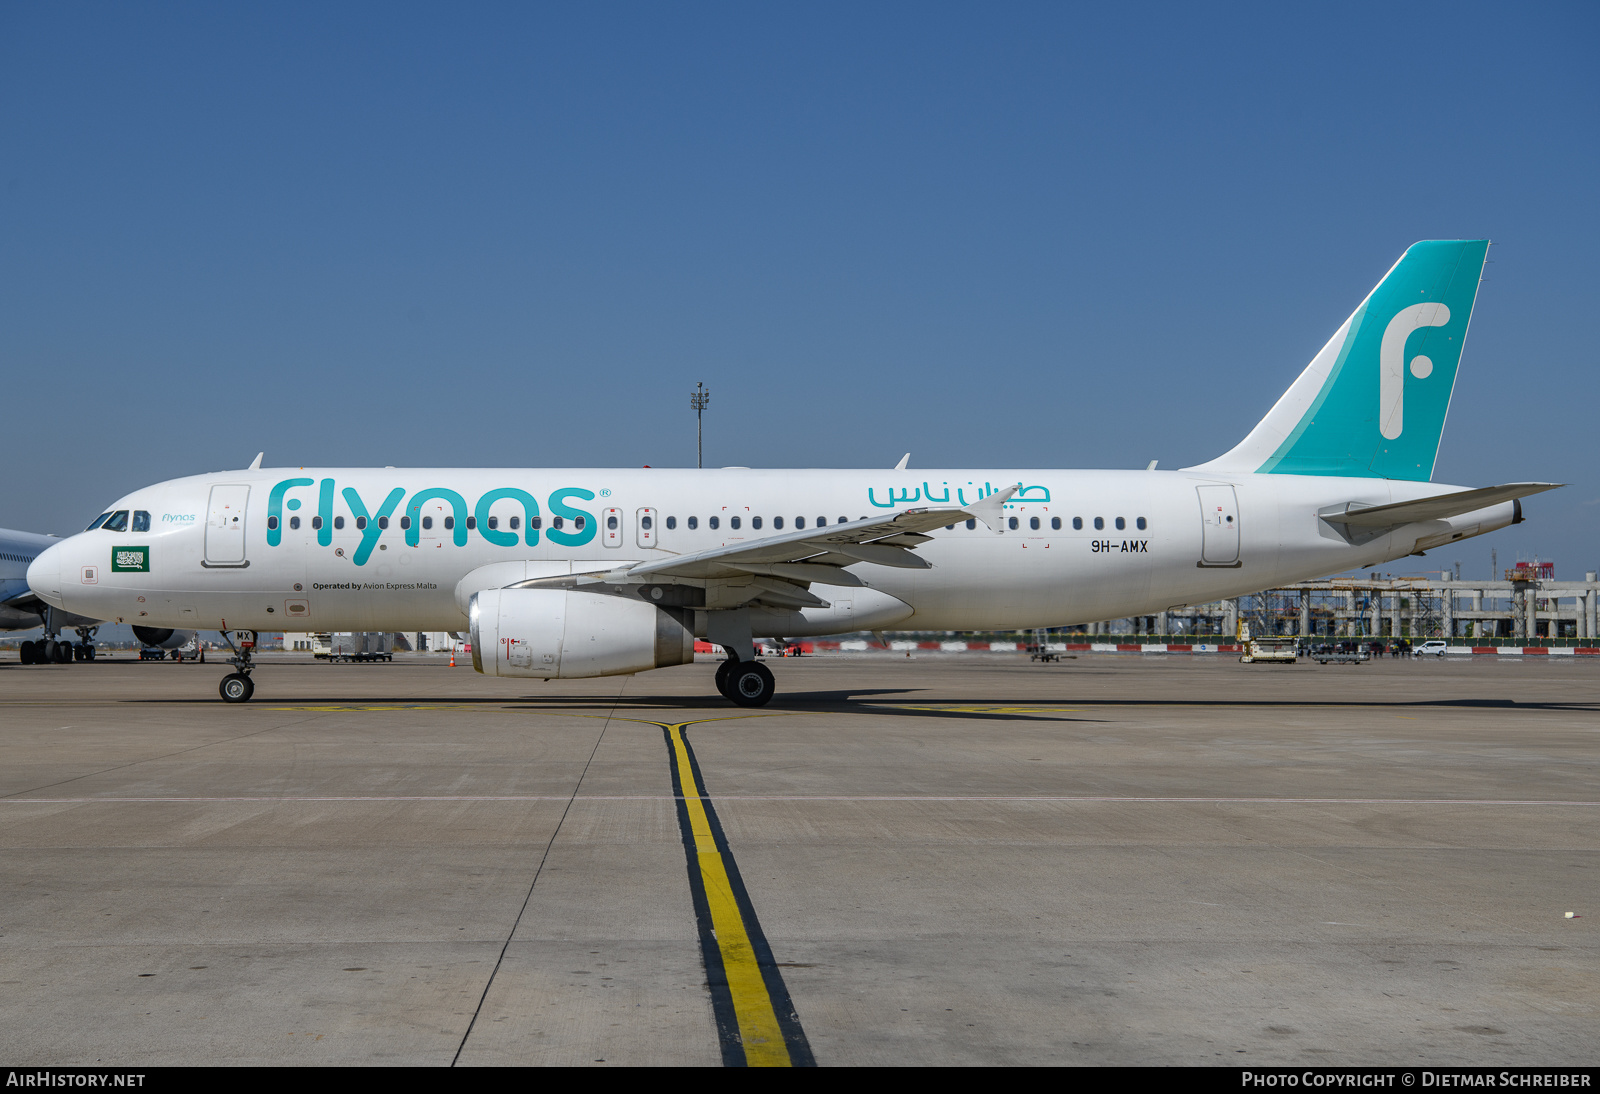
point(990, 234)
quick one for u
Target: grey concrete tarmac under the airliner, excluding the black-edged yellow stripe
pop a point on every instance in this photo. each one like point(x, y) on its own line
point(956, 860)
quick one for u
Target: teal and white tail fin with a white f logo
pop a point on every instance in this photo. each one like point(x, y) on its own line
point(1374, 402)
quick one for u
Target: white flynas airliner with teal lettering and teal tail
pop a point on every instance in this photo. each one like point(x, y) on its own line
point(593, 573)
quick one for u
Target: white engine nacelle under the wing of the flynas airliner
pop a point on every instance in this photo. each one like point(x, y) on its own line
point(567, 634)
